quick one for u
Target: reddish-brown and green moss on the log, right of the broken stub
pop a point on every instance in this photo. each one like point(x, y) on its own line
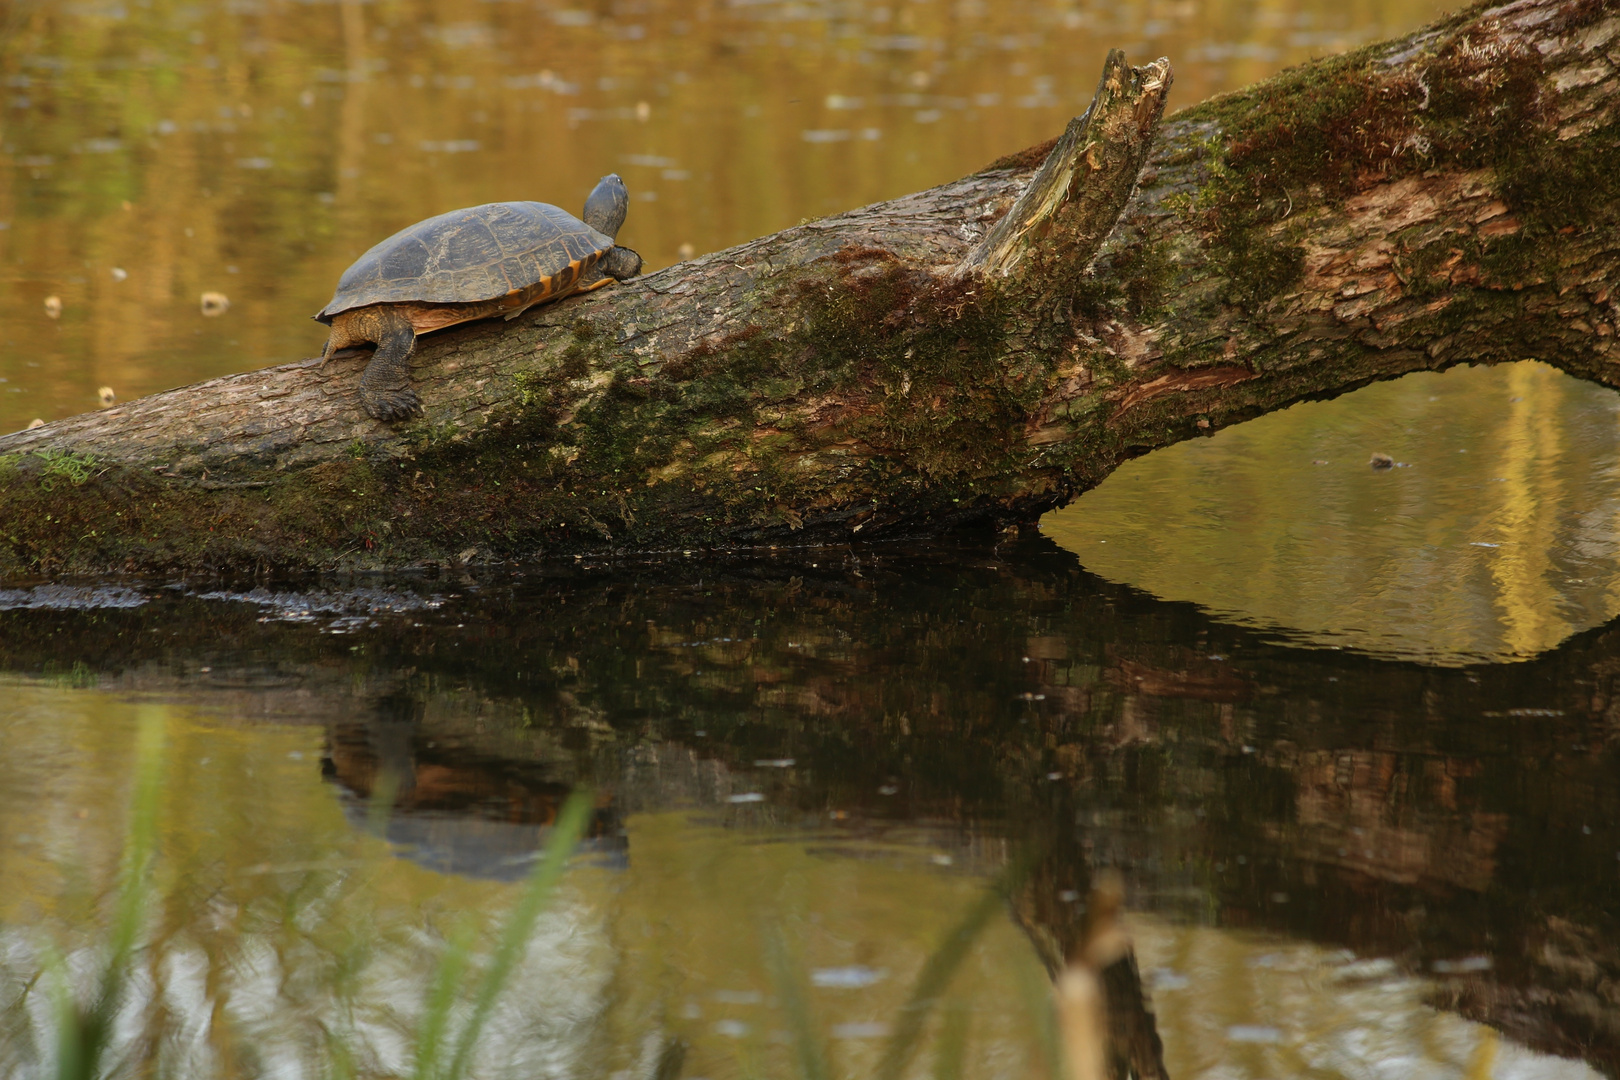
point(1324, 132)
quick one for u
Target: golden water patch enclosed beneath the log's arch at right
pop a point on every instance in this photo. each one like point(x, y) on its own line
point(1493, 538)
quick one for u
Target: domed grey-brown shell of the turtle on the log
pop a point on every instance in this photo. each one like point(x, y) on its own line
point(474, 255)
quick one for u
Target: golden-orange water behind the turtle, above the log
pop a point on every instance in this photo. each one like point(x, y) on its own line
point(153, 151)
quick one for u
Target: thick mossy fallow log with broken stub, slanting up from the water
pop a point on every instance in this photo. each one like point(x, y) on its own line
point(981, 352)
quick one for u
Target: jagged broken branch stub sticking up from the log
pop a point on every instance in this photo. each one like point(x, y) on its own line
point(1073, 202)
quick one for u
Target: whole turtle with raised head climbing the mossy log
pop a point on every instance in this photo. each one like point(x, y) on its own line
point(493, 260)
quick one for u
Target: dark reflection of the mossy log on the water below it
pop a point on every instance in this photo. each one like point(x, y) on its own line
point(1438, 815)
